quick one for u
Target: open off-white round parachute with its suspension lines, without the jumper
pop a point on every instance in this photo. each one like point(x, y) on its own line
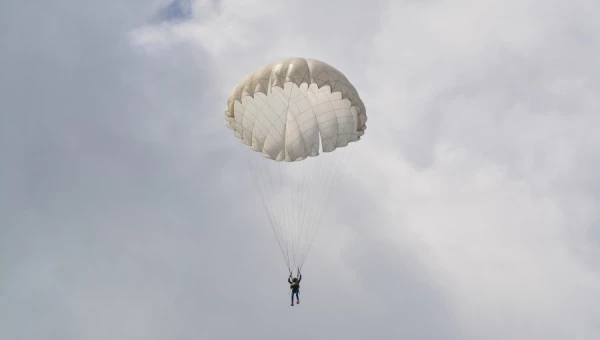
point(298, 116)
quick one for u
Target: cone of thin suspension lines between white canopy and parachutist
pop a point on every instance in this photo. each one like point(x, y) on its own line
point(296, 218)
